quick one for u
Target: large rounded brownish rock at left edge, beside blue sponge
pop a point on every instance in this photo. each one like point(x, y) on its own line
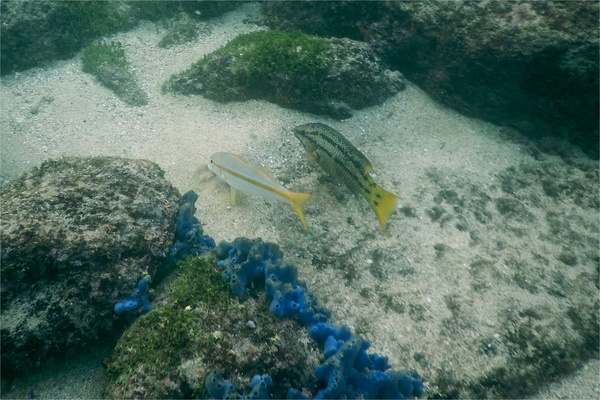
point(77, 235)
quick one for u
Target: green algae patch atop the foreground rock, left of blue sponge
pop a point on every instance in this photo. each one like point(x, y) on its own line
point(157, 342)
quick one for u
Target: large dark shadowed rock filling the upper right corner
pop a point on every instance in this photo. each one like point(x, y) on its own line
point(532, 66)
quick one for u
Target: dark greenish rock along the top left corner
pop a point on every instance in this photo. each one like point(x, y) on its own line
point(35, 31)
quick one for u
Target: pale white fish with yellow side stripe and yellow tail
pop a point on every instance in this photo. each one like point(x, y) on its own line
point(251, 179)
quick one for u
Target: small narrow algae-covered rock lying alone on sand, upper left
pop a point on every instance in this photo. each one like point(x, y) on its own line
point(107, 62)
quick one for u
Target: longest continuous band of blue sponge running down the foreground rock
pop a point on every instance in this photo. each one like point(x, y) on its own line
point(348, 370)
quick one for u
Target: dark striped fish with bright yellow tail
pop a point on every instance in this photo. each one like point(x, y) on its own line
point(340, 159)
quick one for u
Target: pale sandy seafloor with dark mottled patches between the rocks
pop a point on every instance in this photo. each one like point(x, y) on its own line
point(487, 275)
